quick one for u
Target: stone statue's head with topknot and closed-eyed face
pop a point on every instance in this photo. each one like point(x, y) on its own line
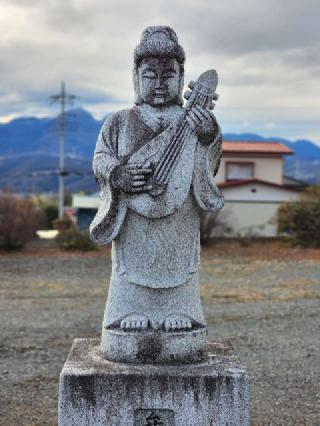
point(158, 68)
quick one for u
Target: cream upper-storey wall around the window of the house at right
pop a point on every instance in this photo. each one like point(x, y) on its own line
point(269, 169)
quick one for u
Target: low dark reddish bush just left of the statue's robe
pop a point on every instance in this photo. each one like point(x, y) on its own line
point(73, 239)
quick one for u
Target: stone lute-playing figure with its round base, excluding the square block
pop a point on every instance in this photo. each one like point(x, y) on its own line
point(155, 163)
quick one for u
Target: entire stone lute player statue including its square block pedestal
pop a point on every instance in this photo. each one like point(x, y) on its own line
point(155, 163)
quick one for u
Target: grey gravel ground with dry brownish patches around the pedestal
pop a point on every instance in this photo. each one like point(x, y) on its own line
point(264, 299)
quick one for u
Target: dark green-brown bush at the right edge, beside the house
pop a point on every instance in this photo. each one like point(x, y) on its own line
point(300, 220)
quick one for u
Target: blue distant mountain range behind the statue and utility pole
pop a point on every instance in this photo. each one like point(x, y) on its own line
point(29, 149)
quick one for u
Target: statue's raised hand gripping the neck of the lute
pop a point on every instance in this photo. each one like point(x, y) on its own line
point(203, 123)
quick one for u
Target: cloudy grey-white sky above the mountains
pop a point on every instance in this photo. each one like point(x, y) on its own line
point(267, 54)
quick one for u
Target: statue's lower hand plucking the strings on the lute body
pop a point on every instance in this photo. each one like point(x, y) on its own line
point(131, 178)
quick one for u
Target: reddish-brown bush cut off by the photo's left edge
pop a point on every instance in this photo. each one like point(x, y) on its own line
point(19, 219)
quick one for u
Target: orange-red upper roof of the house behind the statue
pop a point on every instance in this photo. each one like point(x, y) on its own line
point(255, 147)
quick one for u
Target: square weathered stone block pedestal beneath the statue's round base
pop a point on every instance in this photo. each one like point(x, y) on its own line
point(94, 391)
